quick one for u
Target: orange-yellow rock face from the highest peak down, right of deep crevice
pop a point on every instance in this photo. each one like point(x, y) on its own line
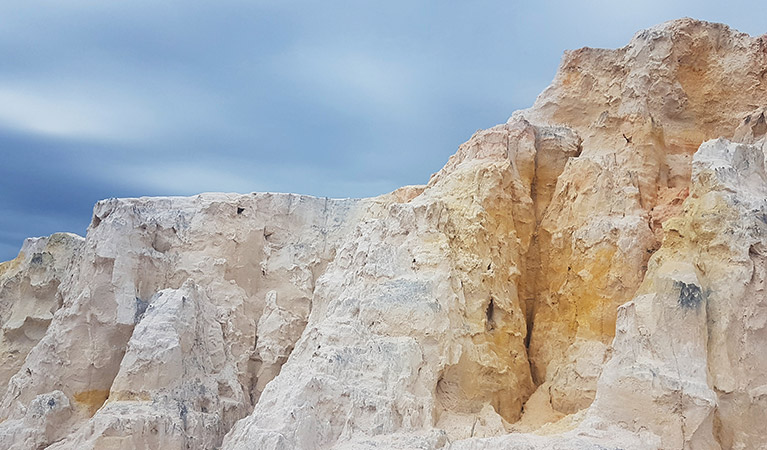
point(642, 111)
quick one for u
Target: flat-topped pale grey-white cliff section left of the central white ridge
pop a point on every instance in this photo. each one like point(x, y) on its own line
point(156, 336)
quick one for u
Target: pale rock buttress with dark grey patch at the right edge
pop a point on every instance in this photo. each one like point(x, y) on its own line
point(690, 340)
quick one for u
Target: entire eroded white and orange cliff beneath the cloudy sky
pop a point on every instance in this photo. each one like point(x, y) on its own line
point(588, 275)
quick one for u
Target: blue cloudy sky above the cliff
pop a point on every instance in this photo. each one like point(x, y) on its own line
point(341, 99)
